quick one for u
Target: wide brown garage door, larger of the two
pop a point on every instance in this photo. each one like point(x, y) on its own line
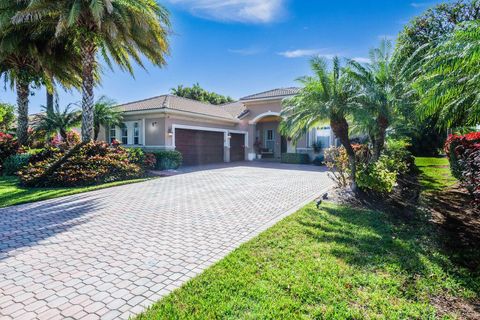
point(199, 147)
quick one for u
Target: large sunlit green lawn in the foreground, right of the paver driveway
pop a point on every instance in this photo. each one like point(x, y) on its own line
point(332, 263)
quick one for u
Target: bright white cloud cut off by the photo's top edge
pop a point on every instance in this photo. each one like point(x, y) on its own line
point(245, 11)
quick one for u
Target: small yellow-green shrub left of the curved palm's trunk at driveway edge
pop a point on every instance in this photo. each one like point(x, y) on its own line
point(336, 159)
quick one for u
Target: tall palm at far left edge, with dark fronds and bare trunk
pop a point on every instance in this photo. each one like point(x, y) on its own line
point(30, 55)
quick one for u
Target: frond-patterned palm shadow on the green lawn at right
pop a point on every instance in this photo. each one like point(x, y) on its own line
point(377, 242)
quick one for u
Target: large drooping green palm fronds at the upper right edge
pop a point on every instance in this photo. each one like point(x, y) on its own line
point(449, 83)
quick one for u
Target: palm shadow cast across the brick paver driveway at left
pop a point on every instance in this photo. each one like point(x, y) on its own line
point(26, 225)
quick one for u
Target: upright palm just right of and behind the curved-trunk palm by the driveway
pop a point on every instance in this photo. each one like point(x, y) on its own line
point(381, 92)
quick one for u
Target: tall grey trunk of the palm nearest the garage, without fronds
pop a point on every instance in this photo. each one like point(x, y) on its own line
point(88, 65)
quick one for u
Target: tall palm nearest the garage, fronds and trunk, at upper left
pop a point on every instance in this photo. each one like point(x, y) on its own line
point(117, 30)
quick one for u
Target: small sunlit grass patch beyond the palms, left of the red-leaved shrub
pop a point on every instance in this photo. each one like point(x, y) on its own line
point(435, 173)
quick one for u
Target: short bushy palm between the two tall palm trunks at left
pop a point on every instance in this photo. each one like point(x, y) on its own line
point(58, 121)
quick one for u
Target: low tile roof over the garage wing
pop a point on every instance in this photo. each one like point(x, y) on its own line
point(177, 103)
